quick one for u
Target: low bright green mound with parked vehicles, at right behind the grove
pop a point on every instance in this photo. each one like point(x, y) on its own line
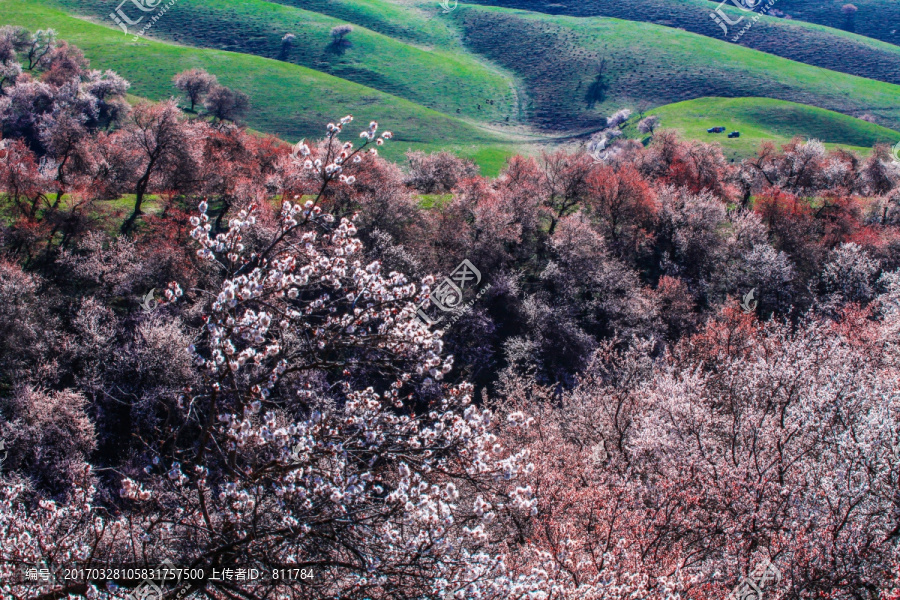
point(763, 119)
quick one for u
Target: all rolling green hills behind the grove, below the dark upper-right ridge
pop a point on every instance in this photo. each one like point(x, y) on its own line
point(493, 57)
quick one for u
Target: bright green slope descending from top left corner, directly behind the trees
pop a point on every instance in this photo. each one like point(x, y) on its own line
point(289, 101)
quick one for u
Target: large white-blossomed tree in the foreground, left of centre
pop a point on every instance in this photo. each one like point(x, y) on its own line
point(264, 463)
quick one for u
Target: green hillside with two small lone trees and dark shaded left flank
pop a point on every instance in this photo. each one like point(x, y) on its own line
point(448, 81)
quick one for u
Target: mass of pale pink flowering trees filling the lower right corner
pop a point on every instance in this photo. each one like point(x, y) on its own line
point(748, 443)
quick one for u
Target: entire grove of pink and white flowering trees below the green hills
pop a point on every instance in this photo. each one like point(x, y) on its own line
point(681, 369)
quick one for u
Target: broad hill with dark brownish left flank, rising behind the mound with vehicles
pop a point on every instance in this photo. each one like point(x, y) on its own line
point(558, 59)
